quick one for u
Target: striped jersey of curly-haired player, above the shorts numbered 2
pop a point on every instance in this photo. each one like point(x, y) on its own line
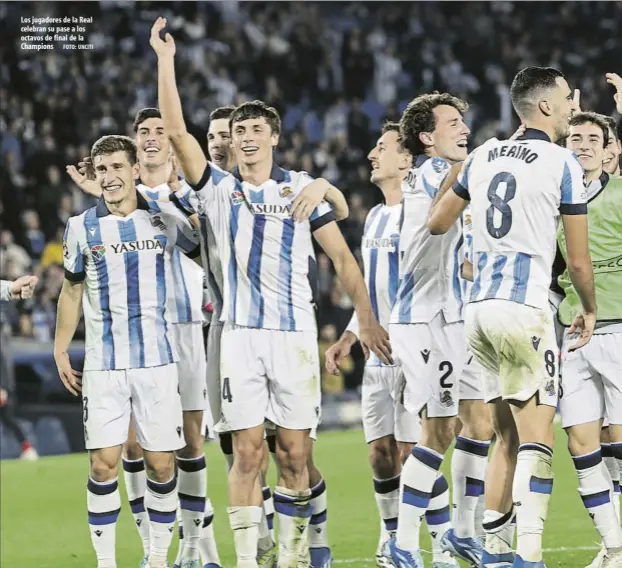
point(430, 264)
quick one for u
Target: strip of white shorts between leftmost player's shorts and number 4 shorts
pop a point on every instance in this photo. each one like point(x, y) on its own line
point(191, 366)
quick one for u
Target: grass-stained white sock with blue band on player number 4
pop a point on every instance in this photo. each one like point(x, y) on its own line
point(293, 509)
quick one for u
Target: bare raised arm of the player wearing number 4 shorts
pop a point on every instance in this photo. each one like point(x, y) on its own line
point(187, 149)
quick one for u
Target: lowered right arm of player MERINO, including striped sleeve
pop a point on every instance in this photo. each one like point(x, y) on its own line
point(573, 209)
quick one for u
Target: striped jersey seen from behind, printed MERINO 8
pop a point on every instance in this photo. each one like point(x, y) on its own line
point(517, 188)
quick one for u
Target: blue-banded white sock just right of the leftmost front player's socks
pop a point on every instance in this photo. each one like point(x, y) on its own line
point(192, 489)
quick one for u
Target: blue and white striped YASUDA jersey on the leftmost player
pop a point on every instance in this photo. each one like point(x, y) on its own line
point(124, 263)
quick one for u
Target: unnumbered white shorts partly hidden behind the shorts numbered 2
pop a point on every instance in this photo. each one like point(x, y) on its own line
point(383, 409)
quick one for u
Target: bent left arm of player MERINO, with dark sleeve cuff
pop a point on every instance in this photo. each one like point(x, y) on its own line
point(449, 205)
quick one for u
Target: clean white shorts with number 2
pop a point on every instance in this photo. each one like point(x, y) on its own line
point(432, 356)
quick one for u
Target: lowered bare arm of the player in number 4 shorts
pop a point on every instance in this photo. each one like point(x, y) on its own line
point(372, 336)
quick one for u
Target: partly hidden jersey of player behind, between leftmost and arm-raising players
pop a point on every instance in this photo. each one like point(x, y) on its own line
point(185, 284)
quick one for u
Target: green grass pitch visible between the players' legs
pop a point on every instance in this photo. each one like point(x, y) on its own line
point(43, 511)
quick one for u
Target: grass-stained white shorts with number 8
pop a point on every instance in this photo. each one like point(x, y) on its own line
point(516, 344)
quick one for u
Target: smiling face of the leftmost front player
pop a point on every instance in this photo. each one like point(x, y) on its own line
point(115, 176)
